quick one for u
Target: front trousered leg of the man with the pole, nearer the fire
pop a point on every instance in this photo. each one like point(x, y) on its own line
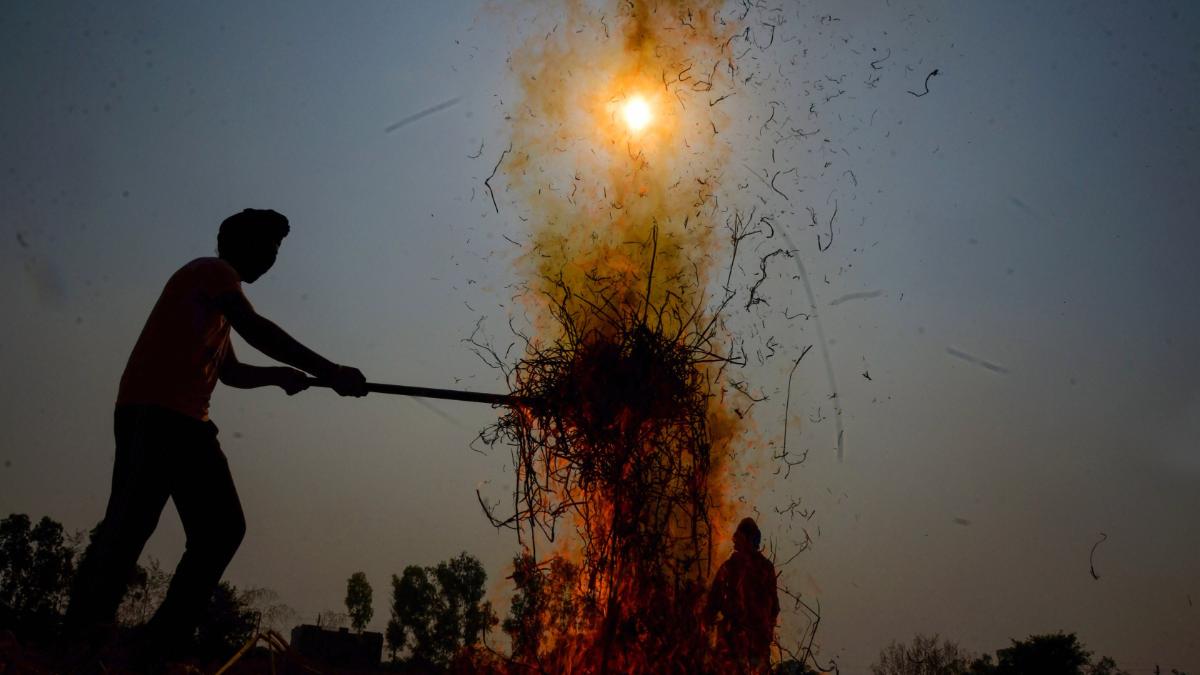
point(208, 506)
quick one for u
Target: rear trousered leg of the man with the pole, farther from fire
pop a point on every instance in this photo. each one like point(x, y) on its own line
point(139, 495)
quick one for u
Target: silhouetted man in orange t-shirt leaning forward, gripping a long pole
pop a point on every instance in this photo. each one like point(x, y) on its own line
point(166, 444)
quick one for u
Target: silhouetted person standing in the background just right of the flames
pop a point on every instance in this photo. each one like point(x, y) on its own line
point(743, 602)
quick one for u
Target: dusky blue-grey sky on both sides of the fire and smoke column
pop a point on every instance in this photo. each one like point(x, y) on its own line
point(1010, 307)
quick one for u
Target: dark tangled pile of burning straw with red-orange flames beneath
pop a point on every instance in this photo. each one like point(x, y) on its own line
point(616, 439)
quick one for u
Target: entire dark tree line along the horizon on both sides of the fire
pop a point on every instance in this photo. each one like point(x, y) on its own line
point(437, 613)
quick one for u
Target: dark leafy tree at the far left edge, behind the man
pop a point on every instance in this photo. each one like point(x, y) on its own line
point(37, 568)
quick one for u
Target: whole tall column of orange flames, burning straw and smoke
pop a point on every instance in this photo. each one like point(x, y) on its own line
point(625, 456)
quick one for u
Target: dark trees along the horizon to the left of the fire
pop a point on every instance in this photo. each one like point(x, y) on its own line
point(437, 612)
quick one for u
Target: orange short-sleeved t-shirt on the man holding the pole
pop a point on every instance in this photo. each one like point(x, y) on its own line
point(176, 361)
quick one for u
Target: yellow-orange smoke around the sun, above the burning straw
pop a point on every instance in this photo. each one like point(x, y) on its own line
point(603, 201)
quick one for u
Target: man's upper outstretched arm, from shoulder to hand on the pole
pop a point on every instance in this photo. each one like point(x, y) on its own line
point(268, 338)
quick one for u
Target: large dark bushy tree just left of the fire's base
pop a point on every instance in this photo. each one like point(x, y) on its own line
point(437, 612)
